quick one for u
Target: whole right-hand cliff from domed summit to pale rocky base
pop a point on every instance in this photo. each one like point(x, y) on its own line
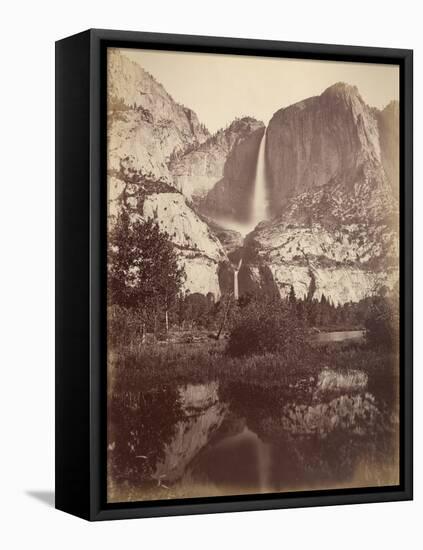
point(333, 168)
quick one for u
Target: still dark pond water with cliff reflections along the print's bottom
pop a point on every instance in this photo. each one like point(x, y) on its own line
point(213, 439)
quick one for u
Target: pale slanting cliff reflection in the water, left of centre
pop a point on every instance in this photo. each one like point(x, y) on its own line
point(203, 416)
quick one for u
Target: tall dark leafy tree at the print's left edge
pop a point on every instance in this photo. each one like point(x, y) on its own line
point(143, 269)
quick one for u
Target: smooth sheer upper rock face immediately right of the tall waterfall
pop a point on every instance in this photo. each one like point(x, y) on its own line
point(322, 139)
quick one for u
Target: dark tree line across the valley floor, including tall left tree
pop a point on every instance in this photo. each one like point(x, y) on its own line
point(145, 295)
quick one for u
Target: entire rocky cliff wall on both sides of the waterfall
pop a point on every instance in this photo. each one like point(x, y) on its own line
point(332, 170)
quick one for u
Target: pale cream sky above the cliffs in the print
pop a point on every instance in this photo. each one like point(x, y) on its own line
point(220, 88)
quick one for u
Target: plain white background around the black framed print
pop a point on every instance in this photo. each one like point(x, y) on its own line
point(28, 32)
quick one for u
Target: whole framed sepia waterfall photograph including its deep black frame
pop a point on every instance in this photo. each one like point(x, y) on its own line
point(234, 274)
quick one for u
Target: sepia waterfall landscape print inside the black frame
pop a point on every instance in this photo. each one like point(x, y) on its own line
point(253, 275)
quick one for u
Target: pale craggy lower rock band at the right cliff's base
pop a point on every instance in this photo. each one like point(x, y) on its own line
point(346, 264)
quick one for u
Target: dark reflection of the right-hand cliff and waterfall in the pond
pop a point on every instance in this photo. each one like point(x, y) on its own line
point(338, 434)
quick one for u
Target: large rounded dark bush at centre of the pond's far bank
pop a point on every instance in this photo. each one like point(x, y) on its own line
point(267, 326)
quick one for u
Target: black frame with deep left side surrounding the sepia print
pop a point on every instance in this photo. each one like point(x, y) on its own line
point(80, 273)
